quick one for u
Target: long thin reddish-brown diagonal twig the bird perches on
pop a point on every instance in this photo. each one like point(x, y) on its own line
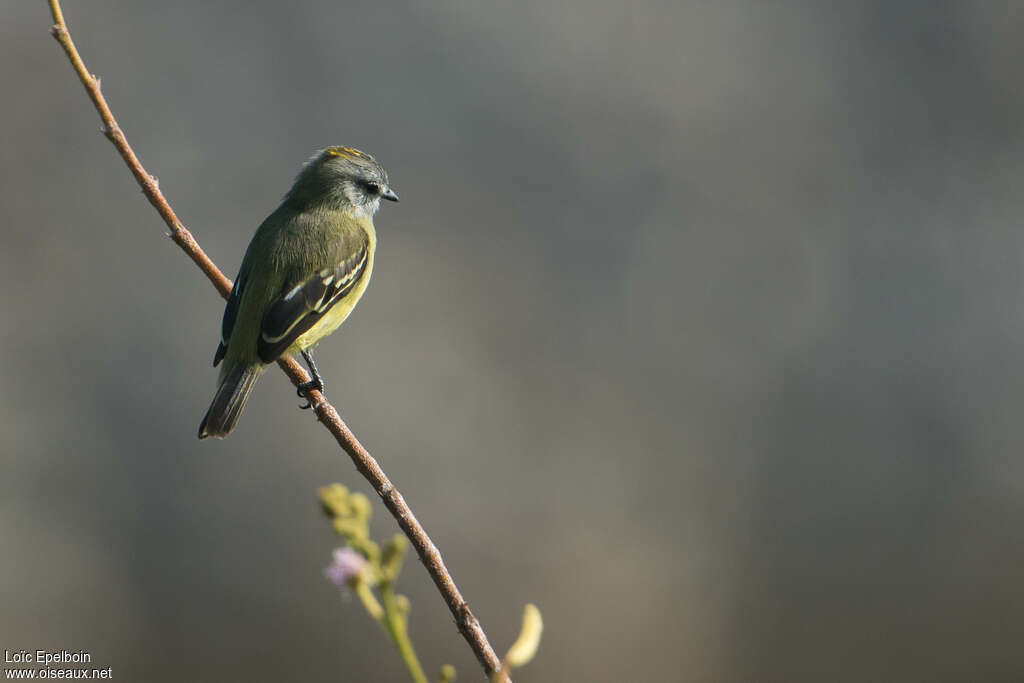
point(328, 416)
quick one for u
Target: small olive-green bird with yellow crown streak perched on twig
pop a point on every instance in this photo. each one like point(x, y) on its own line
point(303, 275)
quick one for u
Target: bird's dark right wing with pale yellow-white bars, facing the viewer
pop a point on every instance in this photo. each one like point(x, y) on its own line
point(300, 308)
